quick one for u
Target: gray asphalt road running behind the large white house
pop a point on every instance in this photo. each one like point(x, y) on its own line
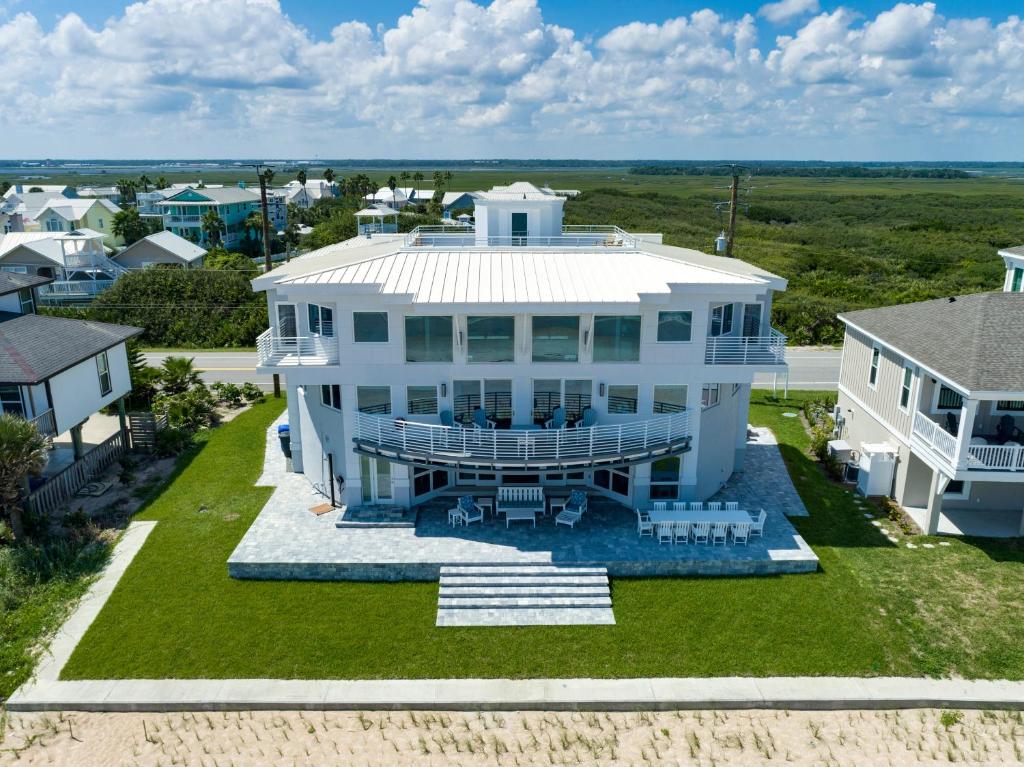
point(810, 368)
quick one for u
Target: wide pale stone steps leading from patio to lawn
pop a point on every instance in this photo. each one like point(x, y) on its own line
point(524, 595)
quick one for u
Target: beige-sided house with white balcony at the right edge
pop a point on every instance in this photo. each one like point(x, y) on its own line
point(934, 393)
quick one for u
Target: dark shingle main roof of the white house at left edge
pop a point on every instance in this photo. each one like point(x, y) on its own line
point(35, 348)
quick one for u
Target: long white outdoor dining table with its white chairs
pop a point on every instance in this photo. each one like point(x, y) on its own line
point(700, 524)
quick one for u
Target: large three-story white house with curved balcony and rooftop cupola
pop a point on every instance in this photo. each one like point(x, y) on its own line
point(645, 353)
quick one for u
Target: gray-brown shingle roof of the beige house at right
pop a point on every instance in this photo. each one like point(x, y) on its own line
point(974, 342)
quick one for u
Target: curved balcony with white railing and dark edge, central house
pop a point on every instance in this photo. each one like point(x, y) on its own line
point(572, 449)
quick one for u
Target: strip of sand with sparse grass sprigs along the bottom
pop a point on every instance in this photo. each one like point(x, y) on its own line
point(834, 739)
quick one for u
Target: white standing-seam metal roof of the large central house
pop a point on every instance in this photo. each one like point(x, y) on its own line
point(522, 276)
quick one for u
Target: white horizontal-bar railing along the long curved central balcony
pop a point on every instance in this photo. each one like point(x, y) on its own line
point(521, 446)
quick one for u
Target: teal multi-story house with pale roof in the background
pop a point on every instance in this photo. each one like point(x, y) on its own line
point(184, 212)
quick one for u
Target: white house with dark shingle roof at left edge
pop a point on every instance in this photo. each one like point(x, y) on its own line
point(54, 371)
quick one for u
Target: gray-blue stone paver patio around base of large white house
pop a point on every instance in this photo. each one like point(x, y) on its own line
point(288, 542)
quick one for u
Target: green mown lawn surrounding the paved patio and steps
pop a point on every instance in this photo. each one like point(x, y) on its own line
point(875, 609)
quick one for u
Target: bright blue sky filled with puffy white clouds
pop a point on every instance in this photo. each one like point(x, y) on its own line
point(791, 79)
